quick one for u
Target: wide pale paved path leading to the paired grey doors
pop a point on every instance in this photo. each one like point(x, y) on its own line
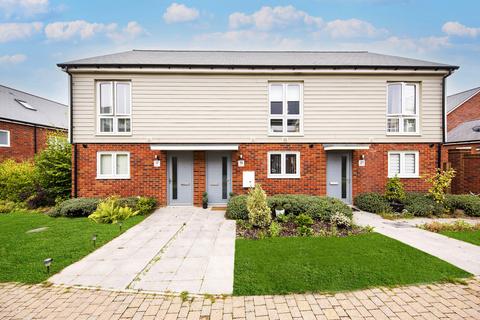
point(175, 249)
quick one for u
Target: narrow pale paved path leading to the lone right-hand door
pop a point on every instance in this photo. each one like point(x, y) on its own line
point(459, 253)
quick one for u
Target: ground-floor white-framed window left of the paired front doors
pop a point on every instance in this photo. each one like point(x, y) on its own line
point(113, 165)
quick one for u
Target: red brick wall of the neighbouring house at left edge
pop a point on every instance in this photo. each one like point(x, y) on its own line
point(25, 140)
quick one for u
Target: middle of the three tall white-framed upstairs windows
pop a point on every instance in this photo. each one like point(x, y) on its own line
point(285, 108)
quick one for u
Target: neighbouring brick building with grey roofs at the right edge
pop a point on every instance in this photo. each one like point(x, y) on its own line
point(463, 140)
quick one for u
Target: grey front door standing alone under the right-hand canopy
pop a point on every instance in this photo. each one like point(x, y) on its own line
point(339, 175)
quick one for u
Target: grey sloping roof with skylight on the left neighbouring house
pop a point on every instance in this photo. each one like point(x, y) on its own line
point(48, 113)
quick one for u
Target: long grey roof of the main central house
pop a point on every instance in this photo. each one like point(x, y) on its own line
point(249, 59)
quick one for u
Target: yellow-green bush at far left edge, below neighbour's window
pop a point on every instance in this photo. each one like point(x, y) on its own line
point(17, 180)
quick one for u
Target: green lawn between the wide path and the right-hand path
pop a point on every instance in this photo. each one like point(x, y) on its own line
point(289, 265)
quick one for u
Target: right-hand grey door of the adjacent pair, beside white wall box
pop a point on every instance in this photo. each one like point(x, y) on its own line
point(218, 176)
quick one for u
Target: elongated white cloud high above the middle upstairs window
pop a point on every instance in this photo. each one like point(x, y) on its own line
point(268, 18)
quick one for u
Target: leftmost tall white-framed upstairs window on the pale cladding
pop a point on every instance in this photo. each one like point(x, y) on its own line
point(114, 106)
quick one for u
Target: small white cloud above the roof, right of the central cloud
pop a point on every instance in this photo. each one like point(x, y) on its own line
point(352, 28)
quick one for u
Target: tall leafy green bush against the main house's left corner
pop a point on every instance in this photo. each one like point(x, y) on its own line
point(54, 167)
